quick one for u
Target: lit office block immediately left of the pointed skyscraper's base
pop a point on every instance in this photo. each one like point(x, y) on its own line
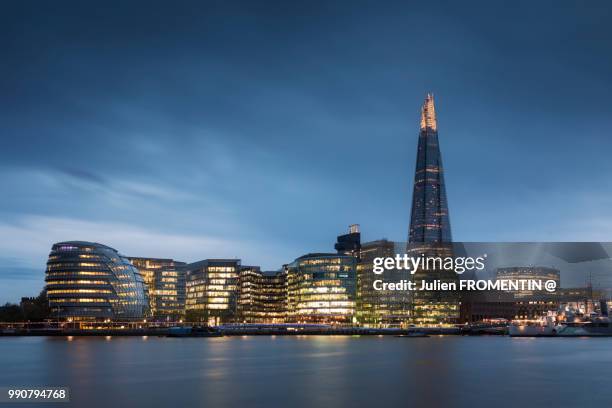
point(380, 308)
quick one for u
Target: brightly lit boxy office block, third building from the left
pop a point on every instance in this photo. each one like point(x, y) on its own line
point(212, 290)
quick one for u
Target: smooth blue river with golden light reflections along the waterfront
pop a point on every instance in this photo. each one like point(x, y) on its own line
point(309, 371)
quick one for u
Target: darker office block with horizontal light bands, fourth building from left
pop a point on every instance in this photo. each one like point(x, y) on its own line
point(262, 296)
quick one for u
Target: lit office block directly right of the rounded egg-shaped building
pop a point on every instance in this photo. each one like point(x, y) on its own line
point(166, 286)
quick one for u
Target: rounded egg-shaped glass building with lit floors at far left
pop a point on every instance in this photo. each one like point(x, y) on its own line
point(90, 281)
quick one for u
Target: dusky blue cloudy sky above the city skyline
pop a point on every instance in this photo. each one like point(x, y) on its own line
point(261, 130)
